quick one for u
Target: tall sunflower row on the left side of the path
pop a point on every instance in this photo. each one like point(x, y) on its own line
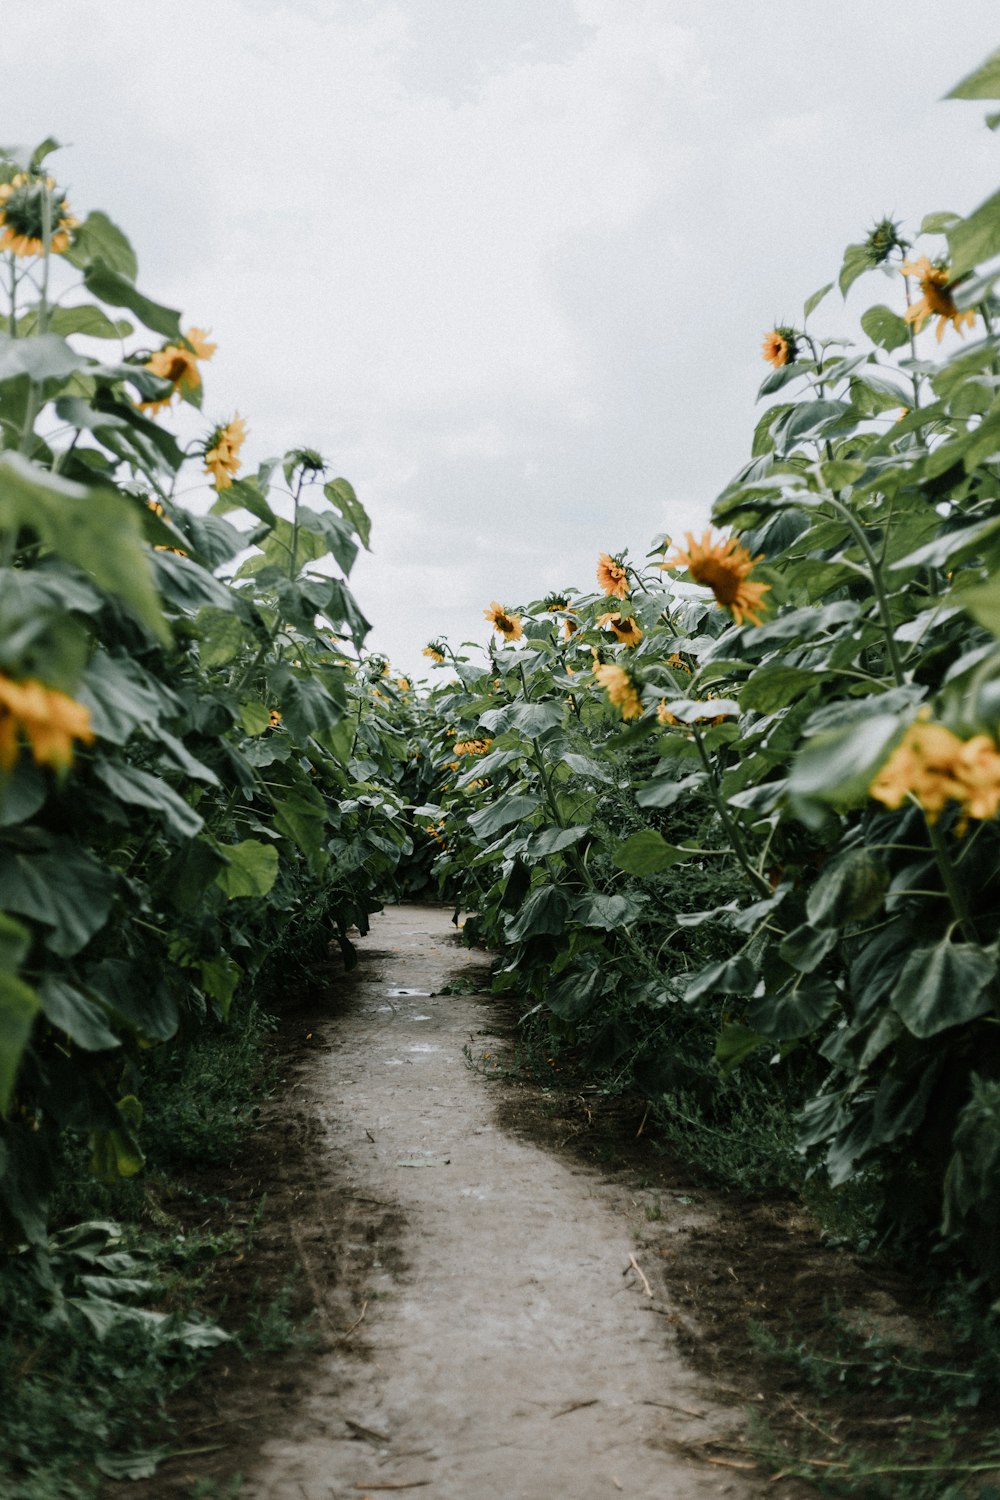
point(200, 775)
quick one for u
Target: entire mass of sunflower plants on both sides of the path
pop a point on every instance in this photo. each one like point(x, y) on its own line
point(728, 818)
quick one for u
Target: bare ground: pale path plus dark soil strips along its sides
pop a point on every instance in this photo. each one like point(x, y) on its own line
point(509, 1294)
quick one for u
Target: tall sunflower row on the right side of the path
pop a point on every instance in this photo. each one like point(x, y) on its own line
point(731, 818)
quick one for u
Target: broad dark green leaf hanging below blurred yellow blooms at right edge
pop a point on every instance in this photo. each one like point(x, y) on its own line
point(944, 986)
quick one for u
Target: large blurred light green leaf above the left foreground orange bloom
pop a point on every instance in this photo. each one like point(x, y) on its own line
point(77, 523)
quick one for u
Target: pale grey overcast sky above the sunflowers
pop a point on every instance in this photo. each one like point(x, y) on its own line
point(506, 265)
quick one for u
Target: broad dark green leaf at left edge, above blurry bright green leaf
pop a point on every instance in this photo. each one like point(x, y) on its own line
point(64, 887)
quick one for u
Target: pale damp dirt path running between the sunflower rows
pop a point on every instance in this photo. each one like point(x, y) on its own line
point(501, 1351)
